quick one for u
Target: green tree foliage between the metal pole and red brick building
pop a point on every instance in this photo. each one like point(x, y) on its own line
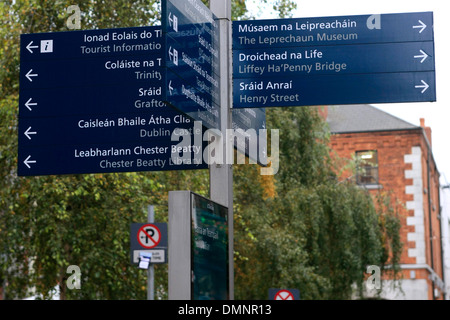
point(317, 235)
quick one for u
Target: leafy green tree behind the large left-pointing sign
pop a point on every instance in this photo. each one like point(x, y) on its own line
point(51, 222)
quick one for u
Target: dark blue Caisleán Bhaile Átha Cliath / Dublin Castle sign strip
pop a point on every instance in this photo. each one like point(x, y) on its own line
point(104, 128)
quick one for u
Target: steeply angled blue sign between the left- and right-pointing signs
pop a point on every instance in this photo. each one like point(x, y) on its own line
point(191, 38)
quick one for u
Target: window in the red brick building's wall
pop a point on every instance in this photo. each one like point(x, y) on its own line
point(366, 167)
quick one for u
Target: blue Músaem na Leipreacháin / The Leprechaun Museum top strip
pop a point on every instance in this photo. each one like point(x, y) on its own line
point(325, 31)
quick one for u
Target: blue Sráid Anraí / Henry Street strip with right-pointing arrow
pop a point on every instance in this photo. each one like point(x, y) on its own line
point(334, 89)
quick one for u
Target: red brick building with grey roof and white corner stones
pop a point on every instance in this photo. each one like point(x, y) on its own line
point(391, 154)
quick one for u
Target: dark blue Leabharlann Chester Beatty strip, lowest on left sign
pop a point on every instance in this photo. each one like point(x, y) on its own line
point(112, 157)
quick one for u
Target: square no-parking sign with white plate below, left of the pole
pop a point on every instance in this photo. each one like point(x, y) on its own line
point(148, 238)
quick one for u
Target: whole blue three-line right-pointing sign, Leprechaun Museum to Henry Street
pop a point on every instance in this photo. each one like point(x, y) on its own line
point(385, 58)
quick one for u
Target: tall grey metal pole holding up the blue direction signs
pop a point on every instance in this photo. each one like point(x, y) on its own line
point(221, 176)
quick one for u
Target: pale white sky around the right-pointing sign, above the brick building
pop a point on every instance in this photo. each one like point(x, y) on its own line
point(436, 114)
